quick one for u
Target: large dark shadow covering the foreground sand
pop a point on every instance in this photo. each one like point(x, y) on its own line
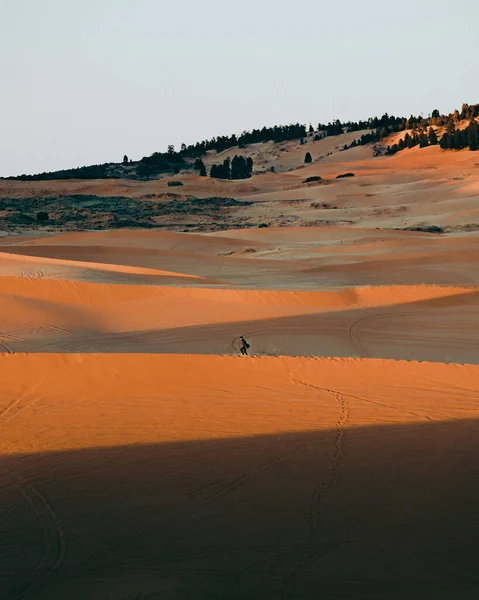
point(372, 512)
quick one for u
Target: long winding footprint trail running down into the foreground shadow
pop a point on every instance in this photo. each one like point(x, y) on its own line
point(312, 544)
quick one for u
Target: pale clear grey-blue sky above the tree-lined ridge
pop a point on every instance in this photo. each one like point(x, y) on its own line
point(88, 82)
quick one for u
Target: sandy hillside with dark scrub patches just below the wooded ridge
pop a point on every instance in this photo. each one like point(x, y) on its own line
point(423, 188)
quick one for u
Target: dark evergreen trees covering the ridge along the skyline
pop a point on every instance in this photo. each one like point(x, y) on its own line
point(423, 133)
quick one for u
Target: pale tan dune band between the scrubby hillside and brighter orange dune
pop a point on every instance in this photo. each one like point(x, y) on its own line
point(275, 258)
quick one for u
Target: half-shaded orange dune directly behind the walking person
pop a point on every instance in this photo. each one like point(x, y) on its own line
point(48, 315)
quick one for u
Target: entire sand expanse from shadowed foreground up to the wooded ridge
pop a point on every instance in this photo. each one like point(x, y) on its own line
point(143, 458)
